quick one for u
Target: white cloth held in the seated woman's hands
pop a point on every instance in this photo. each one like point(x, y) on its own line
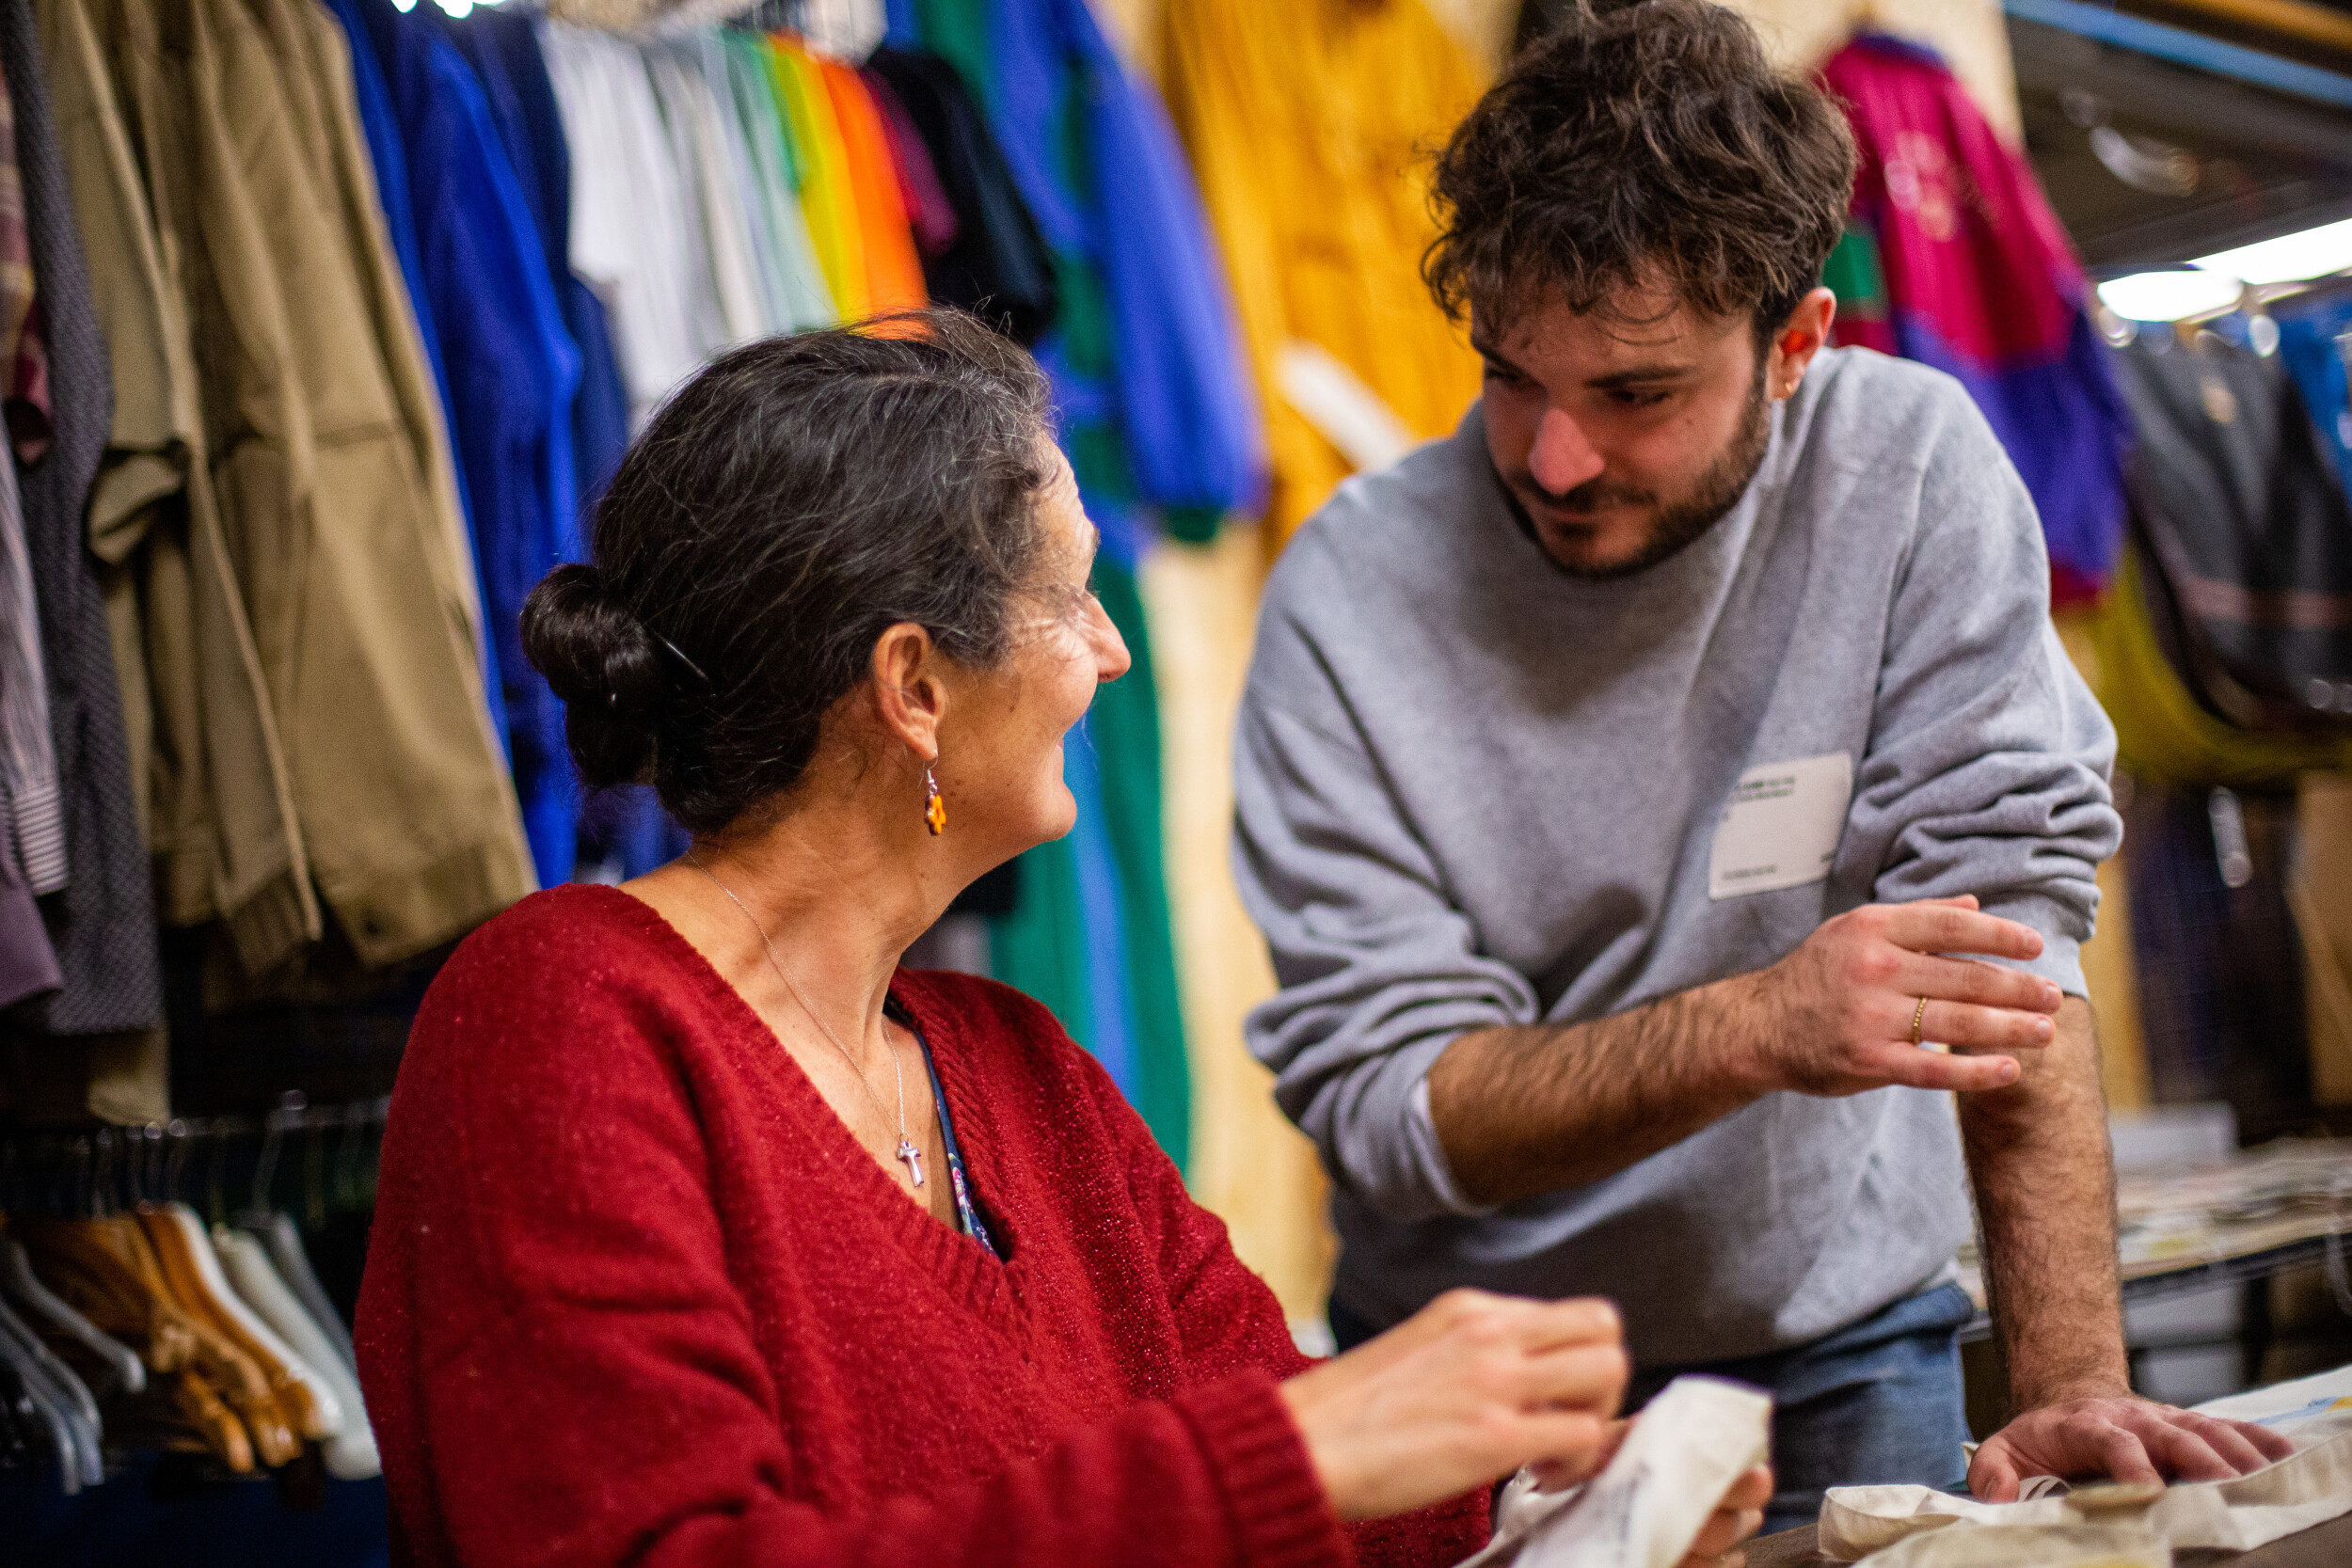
point(1662, 1487)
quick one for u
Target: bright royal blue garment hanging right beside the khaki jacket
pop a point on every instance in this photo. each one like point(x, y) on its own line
point(512, 373)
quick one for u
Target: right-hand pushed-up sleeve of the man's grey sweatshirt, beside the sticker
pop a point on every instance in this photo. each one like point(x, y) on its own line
point(1989, 756)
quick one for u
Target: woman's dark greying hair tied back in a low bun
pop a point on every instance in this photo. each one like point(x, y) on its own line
point(780, 514)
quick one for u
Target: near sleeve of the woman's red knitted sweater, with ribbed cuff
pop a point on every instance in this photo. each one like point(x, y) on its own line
point(568, 1376)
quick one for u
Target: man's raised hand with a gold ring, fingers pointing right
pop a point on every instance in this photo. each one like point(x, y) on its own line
point(1836, 1017)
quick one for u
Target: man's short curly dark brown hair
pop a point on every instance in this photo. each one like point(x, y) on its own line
point(1641, 145)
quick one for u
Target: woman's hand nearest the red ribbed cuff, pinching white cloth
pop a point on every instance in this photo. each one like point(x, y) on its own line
point(1466, 1391)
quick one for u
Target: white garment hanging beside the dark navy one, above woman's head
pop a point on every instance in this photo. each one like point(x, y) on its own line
point(629, 215)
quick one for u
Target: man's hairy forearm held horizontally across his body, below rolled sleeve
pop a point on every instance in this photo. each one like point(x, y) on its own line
point(1537, 1108)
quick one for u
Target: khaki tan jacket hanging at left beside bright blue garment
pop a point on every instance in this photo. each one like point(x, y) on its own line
point(295, 577)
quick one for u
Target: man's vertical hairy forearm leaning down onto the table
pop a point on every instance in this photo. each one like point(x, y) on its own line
point(2045, 1198)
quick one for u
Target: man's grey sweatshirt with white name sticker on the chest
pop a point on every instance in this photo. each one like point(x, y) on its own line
point(1476, 791)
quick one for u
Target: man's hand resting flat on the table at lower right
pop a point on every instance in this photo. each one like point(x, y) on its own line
point(2125, 1440)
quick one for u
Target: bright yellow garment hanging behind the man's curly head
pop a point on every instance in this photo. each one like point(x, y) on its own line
point(1311, 128)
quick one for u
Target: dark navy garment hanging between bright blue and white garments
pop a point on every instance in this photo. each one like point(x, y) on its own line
point(505, 53)
